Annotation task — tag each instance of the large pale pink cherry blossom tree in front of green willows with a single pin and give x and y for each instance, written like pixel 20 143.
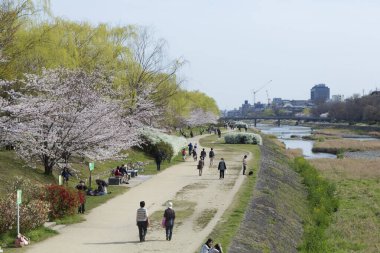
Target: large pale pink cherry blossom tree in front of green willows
pixel 64 113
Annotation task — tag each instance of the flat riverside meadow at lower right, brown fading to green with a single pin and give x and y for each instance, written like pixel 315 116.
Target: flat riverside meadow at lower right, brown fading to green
pixel 355 227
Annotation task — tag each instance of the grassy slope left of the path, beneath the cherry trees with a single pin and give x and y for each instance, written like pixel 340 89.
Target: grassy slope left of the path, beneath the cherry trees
pixel 11 166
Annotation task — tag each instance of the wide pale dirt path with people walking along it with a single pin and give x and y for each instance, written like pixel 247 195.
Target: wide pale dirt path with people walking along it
pixel 112 227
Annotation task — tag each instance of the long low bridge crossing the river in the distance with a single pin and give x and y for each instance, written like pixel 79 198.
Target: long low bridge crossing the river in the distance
pixel 277 118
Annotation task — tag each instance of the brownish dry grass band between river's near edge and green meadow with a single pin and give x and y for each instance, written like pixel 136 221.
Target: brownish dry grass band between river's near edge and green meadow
pixel 348 168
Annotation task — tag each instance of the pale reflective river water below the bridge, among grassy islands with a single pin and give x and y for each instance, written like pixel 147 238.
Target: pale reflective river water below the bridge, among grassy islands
pixel 284 134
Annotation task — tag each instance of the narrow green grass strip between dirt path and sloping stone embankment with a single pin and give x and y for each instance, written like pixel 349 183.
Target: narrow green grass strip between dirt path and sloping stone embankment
pixel 229 224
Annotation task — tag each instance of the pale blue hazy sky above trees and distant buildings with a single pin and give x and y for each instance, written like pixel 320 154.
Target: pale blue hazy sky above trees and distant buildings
pixel 235 47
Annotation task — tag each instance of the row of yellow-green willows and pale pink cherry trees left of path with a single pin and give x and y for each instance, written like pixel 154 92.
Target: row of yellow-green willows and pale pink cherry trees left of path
pixel 88 89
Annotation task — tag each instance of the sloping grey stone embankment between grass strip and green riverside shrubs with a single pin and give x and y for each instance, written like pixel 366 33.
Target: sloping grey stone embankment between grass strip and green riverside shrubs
pixel 273 220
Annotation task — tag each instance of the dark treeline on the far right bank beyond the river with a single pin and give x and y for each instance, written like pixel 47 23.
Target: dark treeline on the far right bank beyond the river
pixel 354 109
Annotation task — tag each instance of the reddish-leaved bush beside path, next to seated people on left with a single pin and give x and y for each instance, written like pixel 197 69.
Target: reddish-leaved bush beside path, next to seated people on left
pixel 63 201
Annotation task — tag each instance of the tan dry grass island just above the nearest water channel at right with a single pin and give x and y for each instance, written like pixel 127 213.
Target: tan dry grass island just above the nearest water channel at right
pixel 333 146
